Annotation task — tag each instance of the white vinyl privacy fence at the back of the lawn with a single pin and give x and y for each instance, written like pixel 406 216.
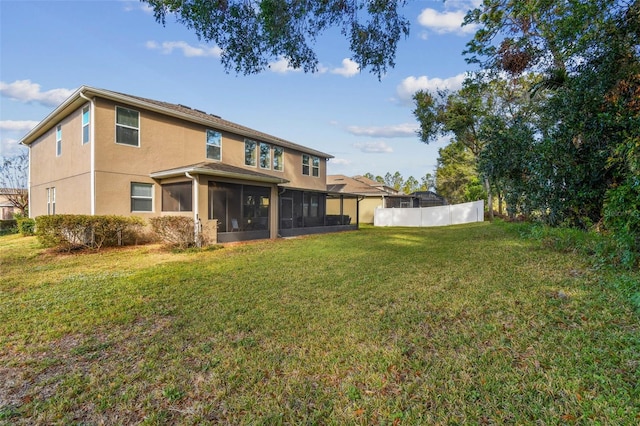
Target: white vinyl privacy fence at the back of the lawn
pixel 430 216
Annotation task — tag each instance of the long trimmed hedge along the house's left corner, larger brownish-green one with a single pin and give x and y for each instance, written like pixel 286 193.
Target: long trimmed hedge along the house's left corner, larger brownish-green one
pixel 68 232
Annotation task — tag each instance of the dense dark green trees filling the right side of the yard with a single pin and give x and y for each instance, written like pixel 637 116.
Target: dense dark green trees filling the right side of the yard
pixel 553 118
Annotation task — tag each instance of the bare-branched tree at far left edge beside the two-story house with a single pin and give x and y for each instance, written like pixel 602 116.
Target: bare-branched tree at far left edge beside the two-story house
pixel 14 175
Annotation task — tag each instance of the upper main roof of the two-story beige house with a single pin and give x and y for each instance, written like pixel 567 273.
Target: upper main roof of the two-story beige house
pixel 80 96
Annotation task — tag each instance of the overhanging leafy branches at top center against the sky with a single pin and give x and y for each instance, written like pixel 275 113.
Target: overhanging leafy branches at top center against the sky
pixel 253 33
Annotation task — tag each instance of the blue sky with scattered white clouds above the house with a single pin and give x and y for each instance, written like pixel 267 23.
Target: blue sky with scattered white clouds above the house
pixel 49 48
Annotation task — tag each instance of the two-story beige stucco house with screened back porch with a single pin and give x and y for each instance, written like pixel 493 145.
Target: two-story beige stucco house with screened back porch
pixel 102 152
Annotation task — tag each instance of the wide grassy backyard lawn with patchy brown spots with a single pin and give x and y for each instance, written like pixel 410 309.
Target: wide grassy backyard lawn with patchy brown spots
pixel 458 325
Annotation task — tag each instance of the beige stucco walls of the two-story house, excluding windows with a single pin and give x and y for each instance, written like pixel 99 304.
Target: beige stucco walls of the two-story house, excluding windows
pixel 165 143
